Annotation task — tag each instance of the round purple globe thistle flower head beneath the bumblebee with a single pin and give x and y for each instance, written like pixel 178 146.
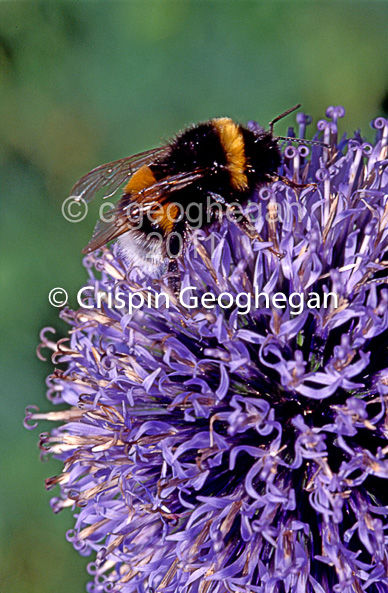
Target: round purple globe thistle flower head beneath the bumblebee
pixel 207 451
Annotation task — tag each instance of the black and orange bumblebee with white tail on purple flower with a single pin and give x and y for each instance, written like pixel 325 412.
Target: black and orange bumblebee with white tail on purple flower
pixel 219 159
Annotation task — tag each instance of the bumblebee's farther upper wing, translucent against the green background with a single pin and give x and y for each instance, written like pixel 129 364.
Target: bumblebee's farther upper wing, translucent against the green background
pixel 112 175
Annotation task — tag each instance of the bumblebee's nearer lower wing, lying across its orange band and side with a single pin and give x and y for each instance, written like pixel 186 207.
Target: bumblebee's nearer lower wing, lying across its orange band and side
pixel 120 221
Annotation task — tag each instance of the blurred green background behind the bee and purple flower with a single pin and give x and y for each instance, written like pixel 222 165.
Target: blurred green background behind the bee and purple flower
pixel 87 82
